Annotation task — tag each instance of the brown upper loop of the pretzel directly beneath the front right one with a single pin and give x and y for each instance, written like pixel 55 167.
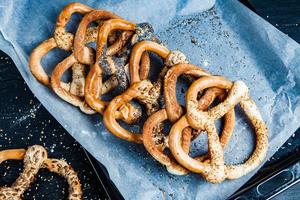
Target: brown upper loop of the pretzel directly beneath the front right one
pixel 174 110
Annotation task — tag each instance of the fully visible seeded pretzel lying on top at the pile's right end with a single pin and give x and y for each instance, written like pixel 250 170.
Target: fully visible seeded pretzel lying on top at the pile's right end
pixel 215 170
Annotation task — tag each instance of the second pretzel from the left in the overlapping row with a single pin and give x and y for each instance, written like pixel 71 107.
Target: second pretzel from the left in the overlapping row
pixel 78 82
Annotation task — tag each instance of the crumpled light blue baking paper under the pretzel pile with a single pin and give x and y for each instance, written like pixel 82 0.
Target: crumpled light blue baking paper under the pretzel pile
pixel 227 40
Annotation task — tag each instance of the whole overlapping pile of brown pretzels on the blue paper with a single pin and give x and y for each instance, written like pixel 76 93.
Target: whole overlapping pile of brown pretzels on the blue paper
pixel 120 65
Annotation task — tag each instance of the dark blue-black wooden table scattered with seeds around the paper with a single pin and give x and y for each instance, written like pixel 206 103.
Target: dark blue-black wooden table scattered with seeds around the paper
pixel 26 119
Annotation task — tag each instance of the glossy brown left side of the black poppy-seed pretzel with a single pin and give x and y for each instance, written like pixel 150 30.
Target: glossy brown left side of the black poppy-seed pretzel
pixel 94 78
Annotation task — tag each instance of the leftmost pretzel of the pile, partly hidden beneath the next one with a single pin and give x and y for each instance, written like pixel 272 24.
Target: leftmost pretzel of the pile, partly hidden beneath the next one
pixel 61 39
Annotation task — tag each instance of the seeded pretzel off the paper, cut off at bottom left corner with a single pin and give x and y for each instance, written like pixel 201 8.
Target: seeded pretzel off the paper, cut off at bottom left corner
pixel 35 158
